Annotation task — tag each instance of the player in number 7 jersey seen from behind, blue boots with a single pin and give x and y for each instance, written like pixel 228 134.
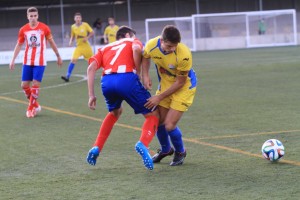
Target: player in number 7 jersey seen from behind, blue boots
pixel 121 62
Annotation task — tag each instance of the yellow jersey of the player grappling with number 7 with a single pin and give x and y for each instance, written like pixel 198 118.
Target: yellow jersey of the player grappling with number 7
pixel 168 65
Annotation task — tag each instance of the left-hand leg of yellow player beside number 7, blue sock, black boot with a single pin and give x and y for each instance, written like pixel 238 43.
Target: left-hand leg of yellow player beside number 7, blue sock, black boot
pixel 163 137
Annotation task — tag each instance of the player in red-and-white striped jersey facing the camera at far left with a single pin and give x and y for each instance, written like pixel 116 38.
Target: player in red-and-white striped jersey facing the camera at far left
pixel 35 34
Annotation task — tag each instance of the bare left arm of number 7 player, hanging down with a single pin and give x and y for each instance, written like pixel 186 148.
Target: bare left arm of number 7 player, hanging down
pixel 91 72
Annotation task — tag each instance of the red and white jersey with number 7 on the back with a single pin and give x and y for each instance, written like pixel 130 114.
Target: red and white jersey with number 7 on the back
pixel 117 57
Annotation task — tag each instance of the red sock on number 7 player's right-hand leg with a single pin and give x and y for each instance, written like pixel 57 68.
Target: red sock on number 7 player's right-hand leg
pixel 149 129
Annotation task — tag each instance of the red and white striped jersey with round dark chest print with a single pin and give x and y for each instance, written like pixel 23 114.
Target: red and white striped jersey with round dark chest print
pixel 35 39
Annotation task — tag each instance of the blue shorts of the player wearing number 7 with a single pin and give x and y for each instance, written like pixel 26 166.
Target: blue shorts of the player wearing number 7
pixel 124 86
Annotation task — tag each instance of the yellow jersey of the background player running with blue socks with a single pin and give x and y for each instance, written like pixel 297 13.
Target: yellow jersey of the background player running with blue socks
pixel 79 32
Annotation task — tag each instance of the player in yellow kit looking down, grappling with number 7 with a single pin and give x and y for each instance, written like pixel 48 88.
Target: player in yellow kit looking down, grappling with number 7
pixel 176 91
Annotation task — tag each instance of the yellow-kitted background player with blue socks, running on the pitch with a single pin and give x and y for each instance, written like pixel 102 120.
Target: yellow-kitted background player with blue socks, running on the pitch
pixel 81 32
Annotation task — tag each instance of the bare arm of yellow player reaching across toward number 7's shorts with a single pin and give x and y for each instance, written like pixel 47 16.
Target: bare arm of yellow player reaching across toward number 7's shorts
pixel 181 77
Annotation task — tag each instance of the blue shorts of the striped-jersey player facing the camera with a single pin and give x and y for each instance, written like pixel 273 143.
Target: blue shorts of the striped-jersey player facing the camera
pixel 30 73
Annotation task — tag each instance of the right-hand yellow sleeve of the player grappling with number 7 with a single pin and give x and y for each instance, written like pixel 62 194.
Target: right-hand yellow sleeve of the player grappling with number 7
pixel 184 58
